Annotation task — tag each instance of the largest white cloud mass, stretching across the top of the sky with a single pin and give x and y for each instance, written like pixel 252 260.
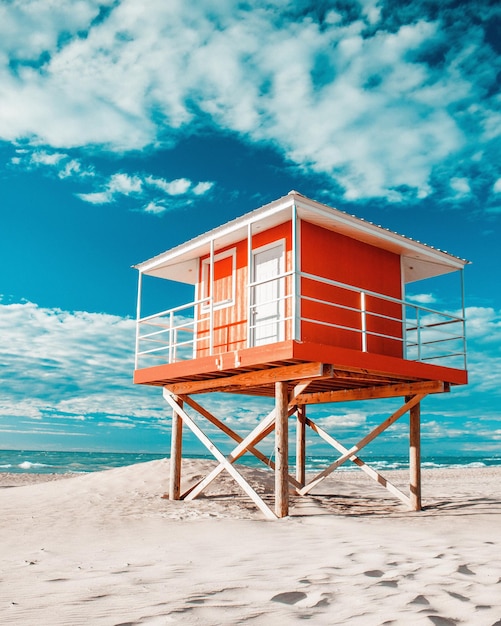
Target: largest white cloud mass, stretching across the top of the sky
pixel 364 106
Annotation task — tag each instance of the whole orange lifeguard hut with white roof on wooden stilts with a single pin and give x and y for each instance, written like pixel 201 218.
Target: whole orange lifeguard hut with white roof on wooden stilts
pixel 307 304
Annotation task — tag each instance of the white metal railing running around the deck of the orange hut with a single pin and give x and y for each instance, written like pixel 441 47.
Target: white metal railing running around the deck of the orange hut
pixel 423 334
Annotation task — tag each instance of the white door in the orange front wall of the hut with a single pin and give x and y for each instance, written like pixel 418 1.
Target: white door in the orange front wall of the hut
pixel 268 295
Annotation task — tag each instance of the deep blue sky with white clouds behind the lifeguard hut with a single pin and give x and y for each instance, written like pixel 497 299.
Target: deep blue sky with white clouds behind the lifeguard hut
pixel 127 128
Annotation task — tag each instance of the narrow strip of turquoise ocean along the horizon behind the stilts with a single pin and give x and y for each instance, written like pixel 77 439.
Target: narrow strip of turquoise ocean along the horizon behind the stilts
pixel 50 462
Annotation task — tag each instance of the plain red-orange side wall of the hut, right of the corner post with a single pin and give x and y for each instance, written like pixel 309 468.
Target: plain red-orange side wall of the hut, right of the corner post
pixel 339 258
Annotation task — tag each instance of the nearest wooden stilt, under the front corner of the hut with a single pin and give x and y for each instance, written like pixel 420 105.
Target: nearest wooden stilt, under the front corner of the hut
pixel 281 450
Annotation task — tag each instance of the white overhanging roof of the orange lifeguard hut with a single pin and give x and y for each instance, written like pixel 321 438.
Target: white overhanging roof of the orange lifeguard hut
pixel 418 260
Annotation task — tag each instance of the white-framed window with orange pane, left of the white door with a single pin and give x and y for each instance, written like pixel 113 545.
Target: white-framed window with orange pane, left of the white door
pixel 224 279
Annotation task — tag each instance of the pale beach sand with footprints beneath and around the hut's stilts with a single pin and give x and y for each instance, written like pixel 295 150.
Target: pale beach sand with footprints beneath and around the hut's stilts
pixel 105 548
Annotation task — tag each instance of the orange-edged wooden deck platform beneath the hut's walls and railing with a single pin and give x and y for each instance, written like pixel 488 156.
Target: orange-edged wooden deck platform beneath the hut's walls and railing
pixel 254 371
